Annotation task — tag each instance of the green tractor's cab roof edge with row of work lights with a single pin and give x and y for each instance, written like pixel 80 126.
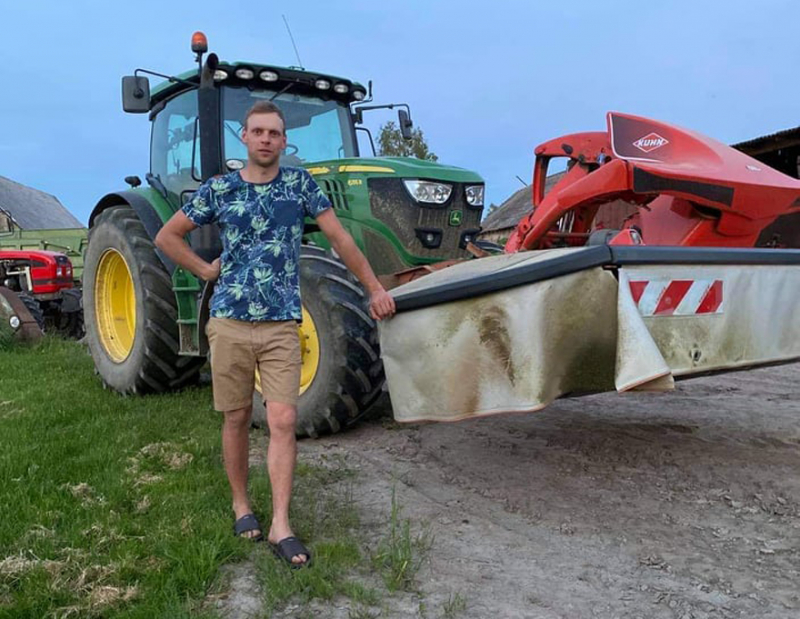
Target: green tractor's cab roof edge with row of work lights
pixel 279 78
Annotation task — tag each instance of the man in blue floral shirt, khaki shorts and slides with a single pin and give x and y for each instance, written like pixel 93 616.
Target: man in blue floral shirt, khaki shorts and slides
pixel 256 306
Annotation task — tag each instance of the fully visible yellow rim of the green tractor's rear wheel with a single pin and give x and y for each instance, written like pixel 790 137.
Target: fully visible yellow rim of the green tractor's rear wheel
pixel 115 305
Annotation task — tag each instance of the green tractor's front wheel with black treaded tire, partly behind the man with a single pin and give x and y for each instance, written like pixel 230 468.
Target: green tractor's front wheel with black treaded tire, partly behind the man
pixel 349 377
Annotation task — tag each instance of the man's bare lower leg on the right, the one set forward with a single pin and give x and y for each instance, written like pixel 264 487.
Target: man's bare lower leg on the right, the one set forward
pixel 281 459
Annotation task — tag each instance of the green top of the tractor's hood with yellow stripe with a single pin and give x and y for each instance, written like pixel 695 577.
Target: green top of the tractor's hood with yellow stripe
pixel 401 167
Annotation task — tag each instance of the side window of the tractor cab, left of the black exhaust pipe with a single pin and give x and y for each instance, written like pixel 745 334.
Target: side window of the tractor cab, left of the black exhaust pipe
pixel 175 147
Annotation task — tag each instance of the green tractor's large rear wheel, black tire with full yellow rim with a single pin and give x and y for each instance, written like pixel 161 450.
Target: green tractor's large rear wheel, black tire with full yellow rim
pixel 147 361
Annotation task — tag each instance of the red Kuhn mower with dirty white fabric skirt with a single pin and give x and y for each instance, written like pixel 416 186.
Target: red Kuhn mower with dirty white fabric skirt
pixel 702 275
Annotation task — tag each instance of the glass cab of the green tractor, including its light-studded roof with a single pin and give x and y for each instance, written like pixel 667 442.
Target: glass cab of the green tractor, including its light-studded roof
pixel 319 124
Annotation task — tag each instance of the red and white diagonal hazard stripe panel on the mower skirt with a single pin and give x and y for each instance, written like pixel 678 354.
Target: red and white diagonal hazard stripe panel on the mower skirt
pixel 678 297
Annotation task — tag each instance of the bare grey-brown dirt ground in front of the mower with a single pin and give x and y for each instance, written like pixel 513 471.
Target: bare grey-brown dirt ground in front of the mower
pixel 680 505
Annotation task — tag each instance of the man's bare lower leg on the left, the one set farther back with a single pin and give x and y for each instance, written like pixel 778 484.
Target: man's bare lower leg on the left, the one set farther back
pixel 235 453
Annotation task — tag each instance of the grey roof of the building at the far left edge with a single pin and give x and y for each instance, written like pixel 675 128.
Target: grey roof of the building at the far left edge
pixel 33 209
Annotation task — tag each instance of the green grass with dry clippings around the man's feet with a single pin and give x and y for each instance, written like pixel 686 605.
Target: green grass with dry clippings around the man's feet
pixel 116 506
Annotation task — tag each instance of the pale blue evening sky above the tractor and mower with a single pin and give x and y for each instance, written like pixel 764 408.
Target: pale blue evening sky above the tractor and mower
pixel 486 81
